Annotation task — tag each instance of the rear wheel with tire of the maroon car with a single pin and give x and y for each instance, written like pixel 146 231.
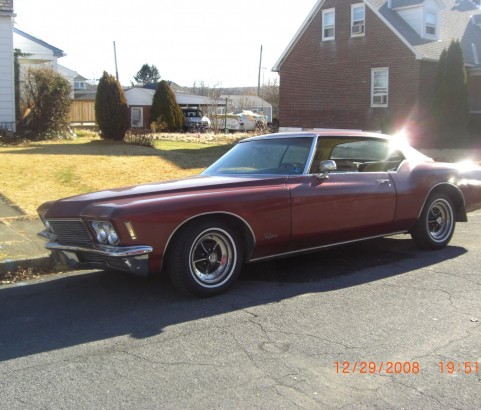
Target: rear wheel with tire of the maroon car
pixel 435 227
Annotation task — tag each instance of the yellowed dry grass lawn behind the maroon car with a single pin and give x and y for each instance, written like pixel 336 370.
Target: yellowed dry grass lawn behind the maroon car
pixel 36 172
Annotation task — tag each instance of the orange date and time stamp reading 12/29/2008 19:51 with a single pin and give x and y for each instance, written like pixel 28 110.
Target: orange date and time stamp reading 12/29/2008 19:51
pixel 399 367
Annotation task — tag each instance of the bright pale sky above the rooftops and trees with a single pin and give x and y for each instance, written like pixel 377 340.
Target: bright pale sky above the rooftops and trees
pixel 212 41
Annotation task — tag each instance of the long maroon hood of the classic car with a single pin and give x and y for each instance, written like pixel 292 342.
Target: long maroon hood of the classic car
pixel 73 207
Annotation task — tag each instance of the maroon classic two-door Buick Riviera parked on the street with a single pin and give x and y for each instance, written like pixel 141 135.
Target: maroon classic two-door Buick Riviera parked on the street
pixel 269 196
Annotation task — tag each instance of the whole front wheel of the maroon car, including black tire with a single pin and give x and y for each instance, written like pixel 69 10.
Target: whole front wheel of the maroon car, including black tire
pixel 205 258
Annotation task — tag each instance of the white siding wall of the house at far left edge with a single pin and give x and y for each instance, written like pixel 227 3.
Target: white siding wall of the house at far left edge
pixel 7 88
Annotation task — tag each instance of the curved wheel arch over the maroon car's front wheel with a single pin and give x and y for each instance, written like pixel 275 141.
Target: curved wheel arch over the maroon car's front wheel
pixel 239 225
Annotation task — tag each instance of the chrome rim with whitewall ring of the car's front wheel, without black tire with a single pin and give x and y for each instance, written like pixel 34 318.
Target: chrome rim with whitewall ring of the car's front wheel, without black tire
pixel 212 257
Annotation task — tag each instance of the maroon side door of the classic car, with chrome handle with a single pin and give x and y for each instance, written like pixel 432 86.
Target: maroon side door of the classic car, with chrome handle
pixel 348 205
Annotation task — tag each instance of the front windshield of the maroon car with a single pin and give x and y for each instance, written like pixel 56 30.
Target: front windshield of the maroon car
pixel 282 156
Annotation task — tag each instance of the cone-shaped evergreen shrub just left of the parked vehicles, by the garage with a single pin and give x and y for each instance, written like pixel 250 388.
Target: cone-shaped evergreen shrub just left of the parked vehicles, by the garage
pixel 165 108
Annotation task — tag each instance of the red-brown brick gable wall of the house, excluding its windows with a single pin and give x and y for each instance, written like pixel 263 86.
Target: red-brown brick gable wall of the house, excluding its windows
pixel 328 84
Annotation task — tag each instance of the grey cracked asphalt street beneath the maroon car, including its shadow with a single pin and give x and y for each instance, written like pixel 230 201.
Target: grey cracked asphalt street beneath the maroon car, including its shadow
pixel 373 324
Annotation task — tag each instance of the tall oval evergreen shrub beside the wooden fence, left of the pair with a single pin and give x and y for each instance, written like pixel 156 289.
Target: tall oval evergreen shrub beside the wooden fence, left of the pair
pixel 111 109
